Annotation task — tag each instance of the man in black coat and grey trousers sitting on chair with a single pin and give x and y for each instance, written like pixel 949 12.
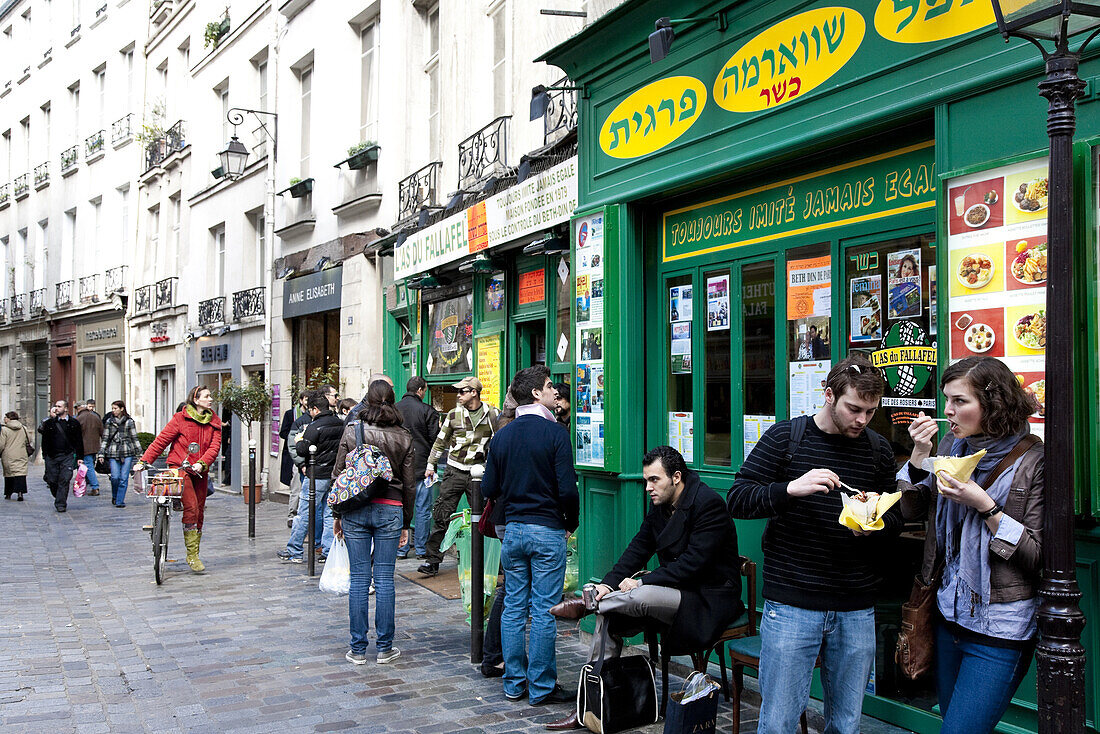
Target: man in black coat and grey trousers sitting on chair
pixel 695 593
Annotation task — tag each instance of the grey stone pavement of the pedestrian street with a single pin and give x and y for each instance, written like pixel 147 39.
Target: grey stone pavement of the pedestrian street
pixel 90 643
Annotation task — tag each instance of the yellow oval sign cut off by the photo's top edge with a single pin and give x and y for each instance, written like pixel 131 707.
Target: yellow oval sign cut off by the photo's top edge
pixel 922 23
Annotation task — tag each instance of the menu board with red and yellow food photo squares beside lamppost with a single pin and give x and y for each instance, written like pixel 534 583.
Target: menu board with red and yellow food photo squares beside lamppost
pixel 998 266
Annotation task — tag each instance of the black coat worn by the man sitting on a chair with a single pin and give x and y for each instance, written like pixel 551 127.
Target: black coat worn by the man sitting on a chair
pixel 697 552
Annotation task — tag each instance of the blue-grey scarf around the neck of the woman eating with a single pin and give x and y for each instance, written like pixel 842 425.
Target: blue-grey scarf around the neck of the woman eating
pixel 962 532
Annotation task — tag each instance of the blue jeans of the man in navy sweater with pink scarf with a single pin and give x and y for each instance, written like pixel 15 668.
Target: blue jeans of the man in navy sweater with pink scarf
pixel 534 560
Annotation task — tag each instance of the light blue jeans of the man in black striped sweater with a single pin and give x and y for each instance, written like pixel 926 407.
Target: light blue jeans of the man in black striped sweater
pixel 791 639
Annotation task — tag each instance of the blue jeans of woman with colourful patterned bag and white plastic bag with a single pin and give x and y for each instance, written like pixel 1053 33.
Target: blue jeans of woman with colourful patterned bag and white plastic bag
pixel 381 525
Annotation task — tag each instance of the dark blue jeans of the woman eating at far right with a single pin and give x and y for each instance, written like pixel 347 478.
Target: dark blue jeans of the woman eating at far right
pixel 976 683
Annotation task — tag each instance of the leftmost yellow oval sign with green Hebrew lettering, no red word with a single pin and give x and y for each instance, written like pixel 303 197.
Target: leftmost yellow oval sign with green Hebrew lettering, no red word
pixel 653 117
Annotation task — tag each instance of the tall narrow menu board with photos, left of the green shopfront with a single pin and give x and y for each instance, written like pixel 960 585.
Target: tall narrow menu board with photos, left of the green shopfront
pixel 589 379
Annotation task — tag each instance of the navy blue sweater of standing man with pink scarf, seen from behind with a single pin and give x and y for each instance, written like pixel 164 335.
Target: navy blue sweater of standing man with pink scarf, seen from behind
pixel 531 468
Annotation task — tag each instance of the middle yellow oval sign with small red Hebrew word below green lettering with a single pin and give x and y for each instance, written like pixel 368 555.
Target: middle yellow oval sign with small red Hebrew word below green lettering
pixel 789 60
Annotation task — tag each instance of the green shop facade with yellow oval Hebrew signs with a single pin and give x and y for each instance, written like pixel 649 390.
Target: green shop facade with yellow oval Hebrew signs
pixel 791 183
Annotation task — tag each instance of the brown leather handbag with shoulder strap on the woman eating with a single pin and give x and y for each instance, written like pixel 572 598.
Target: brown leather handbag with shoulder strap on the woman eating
pixel 916 649
